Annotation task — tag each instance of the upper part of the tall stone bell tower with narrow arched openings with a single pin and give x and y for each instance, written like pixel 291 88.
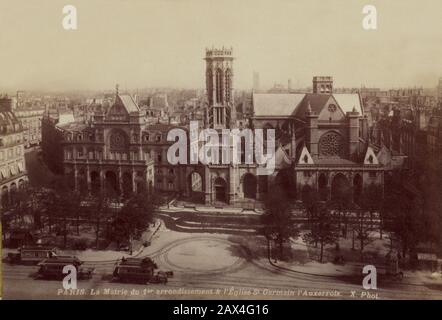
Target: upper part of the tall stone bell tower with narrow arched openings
pixel 219 86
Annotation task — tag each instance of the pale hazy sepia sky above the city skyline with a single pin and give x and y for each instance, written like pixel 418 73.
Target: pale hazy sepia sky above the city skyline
pixel 149 43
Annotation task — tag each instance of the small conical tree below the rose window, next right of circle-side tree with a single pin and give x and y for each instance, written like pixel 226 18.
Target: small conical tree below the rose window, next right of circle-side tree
pixel 322 231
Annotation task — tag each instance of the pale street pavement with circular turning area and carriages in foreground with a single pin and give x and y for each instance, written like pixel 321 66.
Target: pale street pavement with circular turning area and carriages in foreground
pixel 207 266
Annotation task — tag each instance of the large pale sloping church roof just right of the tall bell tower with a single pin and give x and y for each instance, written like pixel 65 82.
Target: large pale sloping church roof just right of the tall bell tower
pixel 275 104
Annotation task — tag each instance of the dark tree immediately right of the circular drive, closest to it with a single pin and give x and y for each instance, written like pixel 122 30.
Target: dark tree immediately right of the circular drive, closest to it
pixel 277 218
